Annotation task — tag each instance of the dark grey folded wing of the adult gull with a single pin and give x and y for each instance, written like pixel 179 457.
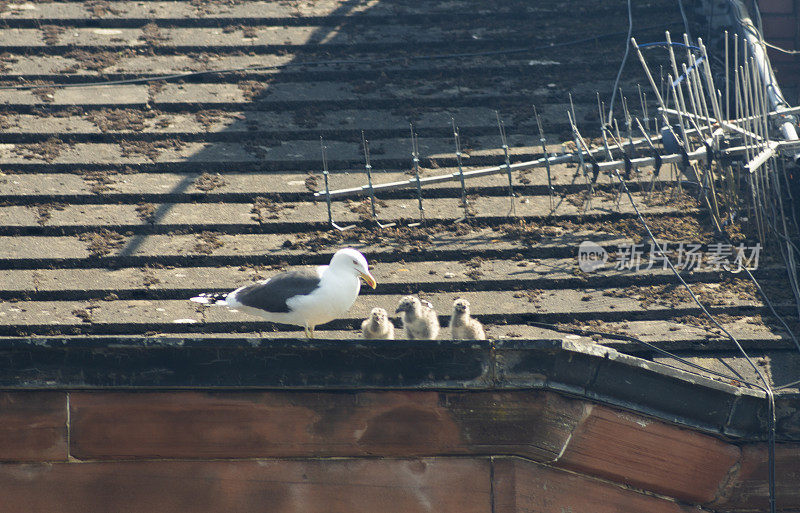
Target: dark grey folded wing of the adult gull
pixel 272 295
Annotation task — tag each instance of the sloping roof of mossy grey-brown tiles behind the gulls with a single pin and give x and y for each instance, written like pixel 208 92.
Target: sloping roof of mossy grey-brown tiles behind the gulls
pixel 120 202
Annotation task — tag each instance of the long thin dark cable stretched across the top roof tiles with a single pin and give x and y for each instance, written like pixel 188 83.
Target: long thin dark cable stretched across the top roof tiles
pixel 177 76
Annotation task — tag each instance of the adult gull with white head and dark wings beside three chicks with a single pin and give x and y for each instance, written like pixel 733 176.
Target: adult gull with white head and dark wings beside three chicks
pixel 302 298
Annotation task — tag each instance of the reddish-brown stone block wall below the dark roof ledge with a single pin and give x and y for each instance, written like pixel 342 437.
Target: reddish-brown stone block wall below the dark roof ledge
pixel 403 451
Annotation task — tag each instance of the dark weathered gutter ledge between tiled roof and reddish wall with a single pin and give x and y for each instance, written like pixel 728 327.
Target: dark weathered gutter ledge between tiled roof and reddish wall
pixel 568 366
